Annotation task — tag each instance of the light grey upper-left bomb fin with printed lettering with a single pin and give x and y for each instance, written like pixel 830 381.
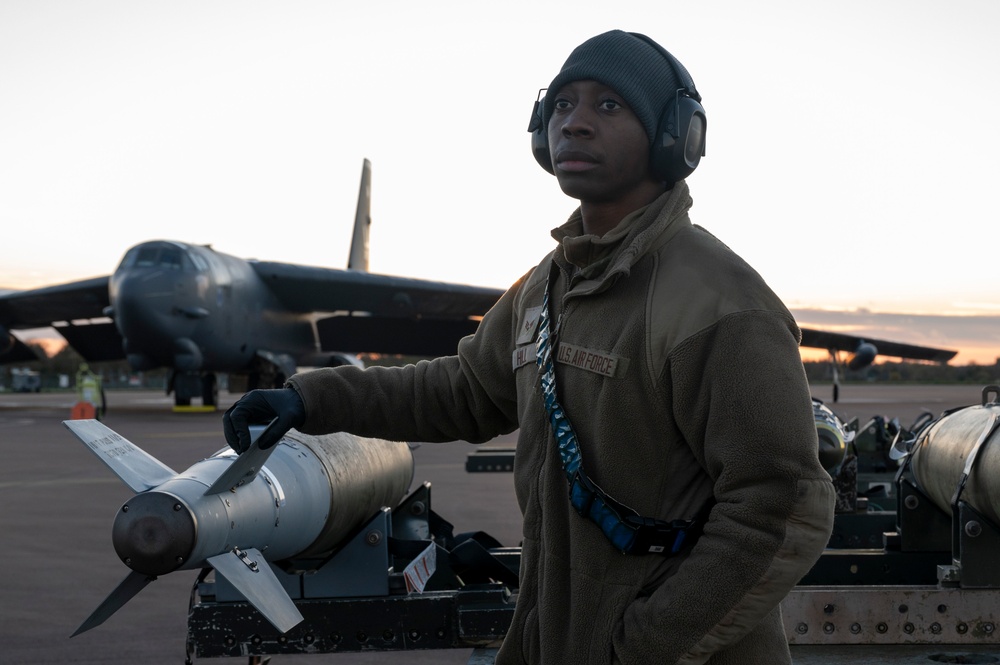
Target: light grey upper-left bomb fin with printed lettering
pixel 137 468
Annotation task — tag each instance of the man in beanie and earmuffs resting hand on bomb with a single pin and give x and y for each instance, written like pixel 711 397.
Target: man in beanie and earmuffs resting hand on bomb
pixel 677 394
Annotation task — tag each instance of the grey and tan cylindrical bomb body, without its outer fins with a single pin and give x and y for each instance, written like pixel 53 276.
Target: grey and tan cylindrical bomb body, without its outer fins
pixel 312 493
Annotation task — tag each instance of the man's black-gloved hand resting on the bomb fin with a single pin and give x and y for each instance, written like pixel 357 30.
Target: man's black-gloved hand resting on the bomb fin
pixel 260 407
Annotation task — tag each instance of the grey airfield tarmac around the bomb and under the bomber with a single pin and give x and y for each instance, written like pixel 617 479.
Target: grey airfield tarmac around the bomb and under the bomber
pixel 59 563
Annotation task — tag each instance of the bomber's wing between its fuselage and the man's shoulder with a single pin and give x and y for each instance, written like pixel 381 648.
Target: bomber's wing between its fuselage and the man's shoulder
pixel 365 312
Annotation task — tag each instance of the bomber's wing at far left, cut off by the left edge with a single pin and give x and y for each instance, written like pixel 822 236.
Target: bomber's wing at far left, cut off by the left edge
pixel 71 309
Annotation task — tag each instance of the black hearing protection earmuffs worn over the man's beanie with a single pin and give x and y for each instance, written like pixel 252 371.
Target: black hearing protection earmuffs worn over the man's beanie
pixel 679 143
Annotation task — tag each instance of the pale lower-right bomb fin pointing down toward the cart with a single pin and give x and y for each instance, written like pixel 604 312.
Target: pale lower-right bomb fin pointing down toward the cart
pixel 252 576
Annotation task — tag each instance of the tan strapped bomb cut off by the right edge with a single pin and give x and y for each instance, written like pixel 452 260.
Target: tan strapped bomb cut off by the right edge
pixel 940 458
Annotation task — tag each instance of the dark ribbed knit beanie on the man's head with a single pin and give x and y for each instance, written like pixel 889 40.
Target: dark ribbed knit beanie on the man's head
pixel 630 65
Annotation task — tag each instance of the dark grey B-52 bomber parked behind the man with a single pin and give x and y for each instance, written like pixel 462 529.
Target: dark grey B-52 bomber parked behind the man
pixel 200 313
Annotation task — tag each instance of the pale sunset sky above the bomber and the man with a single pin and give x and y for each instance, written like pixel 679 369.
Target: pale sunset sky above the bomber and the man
pixel 852 145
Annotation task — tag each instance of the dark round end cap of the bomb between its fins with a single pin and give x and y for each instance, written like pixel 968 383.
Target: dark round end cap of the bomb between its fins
pixel 154 533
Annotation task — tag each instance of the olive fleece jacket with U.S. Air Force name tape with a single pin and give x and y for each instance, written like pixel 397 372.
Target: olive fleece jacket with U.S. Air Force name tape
pixel 679 370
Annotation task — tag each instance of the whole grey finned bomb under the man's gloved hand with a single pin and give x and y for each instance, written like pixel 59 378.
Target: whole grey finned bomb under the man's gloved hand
pixel 299 498
